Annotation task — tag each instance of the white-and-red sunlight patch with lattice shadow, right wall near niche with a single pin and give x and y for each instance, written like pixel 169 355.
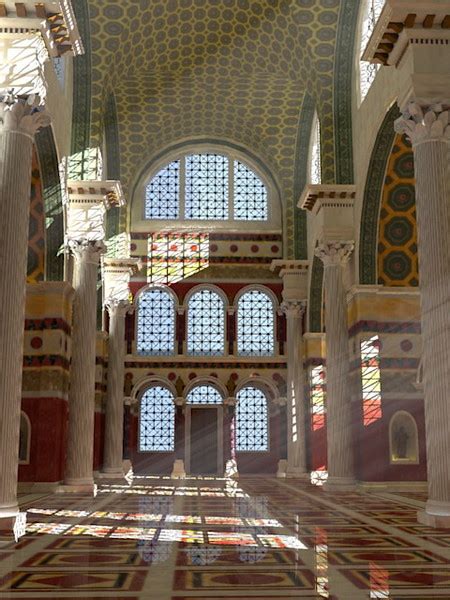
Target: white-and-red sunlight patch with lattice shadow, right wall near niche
pixel 371 380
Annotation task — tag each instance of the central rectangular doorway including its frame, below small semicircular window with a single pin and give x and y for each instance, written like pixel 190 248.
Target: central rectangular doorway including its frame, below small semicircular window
pixel 204 440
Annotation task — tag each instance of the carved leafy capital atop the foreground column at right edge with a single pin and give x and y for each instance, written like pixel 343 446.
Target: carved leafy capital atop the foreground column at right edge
pixel 424 123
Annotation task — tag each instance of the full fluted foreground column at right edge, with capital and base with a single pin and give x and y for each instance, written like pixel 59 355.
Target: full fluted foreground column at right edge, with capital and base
pixel 429 131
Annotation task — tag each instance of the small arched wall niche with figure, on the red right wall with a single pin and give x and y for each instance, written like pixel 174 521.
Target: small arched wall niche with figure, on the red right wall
pixel 403 439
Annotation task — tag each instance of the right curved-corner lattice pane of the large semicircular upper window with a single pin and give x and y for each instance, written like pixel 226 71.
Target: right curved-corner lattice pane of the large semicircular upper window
pixel 250 195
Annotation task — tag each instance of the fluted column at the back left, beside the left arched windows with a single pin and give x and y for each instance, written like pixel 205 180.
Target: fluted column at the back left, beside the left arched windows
pixel 113 449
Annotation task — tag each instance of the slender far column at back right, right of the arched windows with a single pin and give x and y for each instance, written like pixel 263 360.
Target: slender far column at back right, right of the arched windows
pixel 296 447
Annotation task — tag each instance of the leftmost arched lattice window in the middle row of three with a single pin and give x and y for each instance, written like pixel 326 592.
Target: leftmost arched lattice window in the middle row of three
pixel 156 323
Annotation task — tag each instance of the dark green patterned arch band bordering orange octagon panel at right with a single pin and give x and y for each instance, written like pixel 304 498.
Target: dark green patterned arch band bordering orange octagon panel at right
pixel 372 197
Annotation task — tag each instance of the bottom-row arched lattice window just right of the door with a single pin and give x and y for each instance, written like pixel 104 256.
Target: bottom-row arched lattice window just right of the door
pixel 252 424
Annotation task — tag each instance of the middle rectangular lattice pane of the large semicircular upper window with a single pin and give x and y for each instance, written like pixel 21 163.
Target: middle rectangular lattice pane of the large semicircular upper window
pixel 206 187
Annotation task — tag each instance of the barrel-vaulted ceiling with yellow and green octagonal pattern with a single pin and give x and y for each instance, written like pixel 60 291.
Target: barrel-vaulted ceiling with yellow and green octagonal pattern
pixel 237 70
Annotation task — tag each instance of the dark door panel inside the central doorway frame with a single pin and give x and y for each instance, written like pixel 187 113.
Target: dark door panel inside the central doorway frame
pixel 204 441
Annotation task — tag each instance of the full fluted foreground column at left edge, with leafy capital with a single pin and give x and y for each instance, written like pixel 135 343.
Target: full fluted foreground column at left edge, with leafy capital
pixel 19 121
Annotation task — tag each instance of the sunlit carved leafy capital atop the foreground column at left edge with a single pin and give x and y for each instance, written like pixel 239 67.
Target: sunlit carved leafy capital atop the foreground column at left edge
pixel 20 116
